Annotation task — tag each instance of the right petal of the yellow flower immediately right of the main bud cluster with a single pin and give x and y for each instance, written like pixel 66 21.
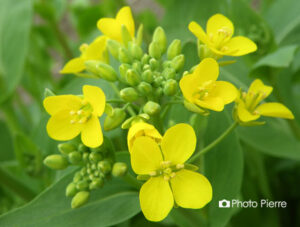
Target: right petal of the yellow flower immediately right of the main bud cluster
pixel 225 90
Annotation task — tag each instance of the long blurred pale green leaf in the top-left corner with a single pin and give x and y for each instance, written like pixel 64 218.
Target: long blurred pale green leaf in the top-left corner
pixel 15 22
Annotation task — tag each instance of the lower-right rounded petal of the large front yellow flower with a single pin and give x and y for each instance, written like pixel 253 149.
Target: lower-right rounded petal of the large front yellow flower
pixel 191 189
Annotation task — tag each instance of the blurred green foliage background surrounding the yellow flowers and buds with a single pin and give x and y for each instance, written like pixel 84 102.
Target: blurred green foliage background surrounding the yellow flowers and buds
pixel 38 36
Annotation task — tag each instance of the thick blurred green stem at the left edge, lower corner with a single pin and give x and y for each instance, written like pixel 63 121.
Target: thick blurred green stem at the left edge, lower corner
pixel 18 187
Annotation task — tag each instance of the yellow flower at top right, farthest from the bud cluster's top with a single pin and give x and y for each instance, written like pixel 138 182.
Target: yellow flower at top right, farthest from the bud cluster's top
pixel 218 37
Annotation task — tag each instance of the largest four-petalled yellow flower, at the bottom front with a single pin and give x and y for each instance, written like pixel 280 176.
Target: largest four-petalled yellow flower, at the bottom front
pixel 169 180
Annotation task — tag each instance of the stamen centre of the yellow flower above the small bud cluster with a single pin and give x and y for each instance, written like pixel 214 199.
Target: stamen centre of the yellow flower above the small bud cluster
pixel 83 114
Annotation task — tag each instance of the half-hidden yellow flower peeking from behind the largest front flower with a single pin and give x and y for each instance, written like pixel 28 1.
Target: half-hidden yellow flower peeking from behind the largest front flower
pixel 142 129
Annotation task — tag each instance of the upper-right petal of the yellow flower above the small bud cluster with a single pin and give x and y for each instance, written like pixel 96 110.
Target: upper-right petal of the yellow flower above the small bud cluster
pixel 95 96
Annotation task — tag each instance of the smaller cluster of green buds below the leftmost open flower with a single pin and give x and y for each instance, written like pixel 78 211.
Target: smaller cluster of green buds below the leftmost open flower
pixel 97 166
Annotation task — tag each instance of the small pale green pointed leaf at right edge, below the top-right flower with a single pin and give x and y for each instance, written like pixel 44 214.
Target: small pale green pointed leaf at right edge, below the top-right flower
pixel 282 57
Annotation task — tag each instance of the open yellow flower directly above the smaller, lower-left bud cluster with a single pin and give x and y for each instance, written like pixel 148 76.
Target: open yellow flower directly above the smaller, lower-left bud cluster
pixel 72 115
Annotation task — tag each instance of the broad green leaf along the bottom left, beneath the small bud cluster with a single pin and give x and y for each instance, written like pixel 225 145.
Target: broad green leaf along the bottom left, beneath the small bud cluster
pixel 108 206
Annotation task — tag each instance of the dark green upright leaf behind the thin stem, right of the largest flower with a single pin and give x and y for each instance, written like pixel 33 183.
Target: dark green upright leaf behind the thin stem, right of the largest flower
pixel 223 168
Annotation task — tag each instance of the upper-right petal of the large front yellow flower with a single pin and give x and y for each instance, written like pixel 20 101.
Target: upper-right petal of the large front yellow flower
pixel 179 143
